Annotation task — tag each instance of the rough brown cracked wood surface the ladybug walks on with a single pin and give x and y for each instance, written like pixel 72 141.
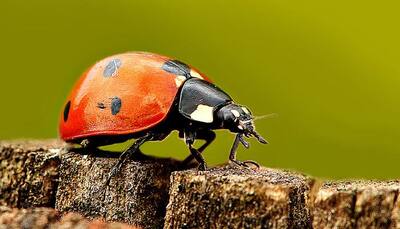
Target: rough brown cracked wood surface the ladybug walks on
pixel 36 174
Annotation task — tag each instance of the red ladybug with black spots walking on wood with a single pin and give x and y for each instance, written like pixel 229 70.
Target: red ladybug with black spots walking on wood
pixel 145 96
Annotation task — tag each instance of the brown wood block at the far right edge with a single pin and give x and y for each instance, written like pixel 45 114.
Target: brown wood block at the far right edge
pixel 357 204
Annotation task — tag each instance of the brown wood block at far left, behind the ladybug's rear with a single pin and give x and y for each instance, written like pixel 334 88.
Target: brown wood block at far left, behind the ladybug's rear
pixel 29 173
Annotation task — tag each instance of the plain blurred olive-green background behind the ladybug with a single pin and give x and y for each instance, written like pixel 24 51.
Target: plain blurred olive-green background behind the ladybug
pixel 330 70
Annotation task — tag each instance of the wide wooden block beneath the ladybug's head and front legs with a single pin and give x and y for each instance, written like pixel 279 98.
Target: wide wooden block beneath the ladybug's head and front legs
pixel 234 197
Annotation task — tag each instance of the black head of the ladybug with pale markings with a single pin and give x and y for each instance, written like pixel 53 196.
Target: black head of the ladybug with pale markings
pixel 238 119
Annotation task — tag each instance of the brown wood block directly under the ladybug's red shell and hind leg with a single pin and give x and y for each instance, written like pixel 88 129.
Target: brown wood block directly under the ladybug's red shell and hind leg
pixel 137 195
